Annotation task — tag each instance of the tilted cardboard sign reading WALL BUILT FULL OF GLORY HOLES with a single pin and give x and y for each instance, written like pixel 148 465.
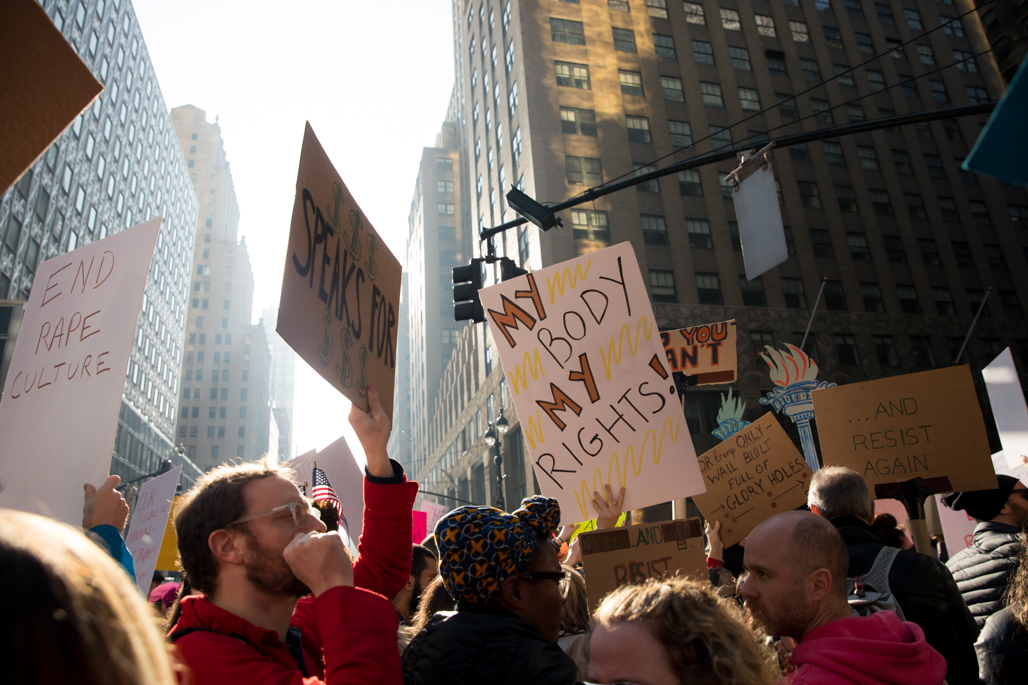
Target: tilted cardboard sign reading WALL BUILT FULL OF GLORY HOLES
pixel 751 477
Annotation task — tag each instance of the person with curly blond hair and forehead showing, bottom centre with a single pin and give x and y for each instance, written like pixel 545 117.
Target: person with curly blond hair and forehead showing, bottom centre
pixel 676 631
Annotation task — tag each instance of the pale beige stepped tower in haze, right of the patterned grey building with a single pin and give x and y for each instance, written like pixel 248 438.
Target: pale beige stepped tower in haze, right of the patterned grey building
pixel 226 406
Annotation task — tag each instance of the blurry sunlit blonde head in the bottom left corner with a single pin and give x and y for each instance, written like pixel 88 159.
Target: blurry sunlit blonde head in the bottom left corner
pixel 70 614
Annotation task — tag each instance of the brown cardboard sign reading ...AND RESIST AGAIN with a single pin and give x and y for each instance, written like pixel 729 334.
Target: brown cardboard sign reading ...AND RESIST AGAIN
pixel 925 425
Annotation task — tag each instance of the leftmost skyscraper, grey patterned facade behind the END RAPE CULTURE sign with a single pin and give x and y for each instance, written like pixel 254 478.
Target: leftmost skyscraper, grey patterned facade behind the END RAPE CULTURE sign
pixel 116 167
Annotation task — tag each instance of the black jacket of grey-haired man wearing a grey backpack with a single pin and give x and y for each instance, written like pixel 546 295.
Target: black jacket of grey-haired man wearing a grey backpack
pixel 928 595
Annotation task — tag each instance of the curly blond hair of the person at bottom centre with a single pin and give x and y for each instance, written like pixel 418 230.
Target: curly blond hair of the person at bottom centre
pixel 707 638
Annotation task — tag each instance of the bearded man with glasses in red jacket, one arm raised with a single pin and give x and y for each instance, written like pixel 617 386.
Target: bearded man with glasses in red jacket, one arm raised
pixel 250 545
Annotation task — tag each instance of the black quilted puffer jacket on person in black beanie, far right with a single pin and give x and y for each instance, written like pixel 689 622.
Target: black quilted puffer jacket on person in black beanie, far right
pixel 983 570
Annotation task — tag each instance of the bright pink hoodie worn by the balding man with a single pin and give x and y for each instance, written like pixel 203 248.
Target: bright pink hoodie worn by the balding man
pixel 874 651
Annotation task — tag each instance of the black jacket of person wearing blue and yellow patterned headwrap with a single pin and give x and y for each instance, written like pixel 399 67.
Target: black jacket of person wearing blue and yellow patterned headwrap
pixel 485 646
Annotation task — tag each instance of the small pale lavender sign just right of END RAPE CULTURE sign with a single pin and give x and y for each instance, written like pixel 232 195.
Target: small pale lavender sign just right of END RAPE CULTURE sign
pixel 146 532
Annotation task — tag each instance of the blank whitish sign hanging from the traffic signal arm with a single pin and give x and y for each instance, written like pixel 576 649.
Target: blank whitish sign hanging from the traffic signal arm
pixel 761 231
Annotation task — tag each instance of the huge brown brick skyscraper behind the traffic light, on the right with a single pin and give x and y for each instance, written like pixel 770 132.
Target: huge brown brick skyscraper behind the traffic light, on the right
pixel 559 97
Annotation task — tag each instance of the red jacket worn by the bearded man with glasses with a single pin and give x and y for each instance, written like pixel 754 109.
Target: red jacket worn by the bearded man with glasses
pixel 348 635
